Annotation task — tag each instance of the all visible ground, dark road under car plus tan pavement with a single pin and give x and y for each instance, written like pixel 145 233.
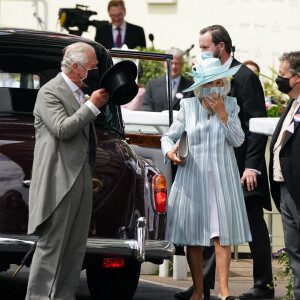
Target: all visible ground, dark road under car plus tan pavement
pixel 240 281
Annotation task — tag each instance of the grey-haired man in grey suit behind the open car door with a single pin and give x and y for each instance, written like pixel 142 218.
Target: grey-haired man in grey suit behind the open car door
pixel 155 97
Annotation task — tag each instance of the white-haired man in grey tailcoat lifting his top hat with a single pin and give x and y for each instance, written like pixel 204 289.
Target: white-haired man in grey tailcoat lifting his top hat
pixel 60 197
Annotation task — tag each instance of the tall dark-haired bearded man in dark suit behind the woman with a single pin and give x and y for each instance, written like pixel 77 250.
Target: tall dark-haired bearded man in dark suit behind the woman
pixel 215 41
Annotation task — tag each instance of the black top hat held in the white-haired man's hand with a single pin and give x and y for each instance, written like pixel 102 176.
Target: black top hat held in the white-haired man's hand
pixel 119 82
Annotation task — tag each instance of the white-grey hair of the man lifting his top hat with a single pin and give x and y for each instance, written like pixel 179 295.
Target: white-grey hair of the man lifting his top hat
pixel 76 52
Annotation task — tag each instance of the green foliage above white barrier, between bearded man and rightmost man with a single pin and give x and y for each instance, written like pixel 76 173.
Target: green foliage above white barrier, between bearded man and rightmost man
pixel 271 91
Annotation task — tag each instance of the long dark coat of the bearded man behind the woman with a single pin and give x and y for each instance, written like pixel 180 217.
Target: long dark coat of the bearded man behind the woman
pixel 246 87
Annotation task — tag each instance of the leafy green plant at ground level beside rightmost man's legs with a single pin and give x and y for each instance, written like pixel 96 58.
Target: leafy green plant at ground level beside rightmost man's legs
pixel 285 273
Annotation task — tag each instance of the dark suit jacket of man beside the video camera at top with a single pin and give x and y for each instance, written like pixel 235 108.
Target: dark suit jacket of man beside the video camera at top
pixel 134 36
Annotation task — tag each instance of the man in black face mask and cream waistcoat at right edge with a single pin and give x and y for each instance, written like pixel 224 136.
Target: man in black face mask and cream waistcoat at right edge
pixel 284 172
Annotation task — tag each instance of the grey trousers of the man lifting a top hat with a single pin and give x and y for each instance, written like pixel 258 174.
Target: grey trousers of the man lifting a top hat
pixel 57 261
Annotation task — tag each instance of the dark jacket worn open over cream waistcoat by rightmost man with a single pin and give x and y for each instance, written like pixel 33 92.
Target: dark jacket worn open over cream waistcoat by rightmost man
pixel 289 160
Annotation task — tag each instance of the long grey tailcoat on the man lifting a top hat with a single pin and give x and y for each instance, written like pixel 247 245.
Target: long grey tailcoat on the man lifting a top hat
pixel 61 146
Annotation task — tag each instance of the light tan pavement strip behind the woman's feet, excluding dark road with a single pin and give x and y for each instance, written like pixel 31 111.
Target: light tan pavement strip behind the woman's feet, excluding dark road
pixel 240 280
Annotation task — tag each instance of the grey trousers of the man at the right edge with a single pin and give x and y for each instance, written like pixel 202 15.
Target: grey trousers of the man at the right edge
pixel 291 225
